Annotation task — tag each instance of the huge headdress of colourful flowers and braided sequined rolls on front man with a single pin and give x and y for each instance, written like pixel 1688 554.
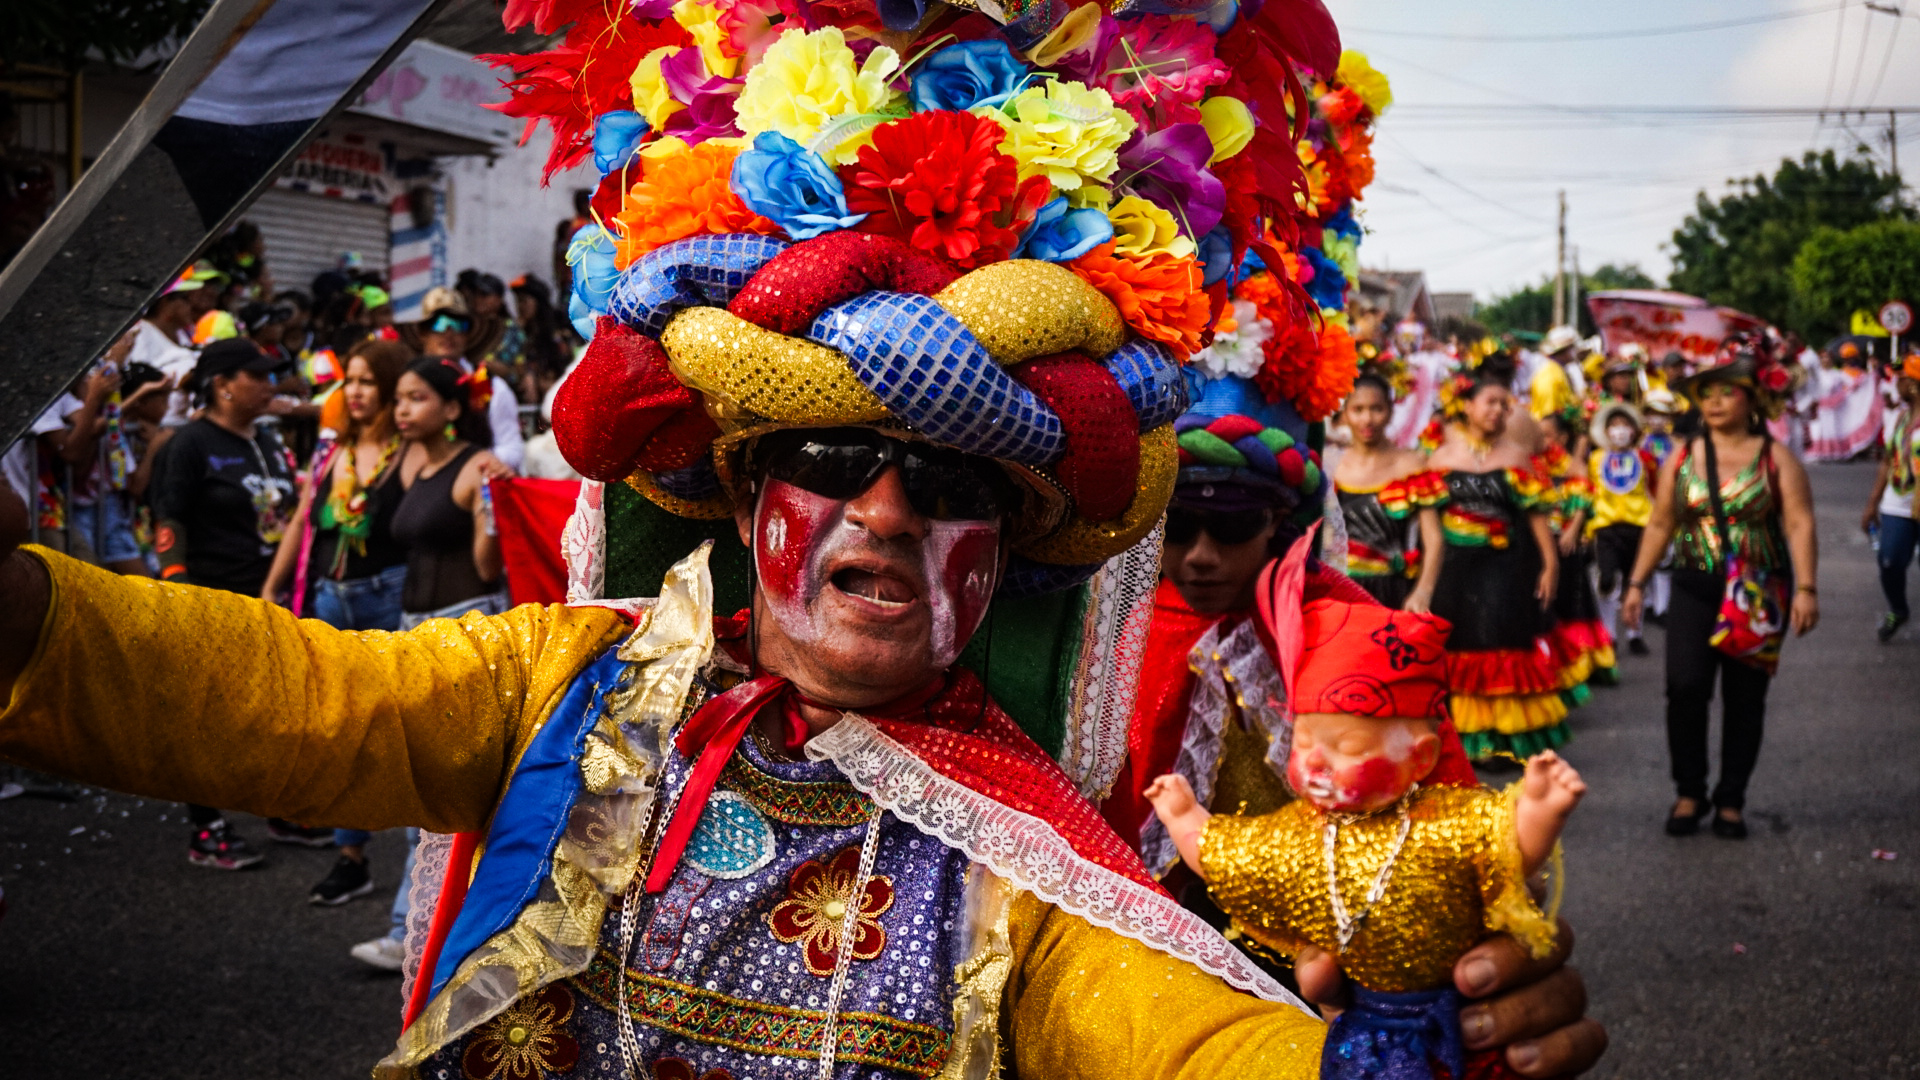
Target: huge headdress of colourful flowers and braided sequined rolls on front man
pixel 1001 228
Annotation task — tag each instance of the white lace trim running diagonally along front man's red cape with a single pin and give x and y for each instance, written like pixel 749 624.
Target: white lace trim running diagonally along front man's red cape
pixel 1030 854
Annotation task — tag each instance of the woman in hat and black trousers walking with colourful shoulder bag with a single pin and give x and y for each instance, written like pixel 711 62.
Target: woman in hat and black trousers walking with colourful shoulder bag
pixel 1769 524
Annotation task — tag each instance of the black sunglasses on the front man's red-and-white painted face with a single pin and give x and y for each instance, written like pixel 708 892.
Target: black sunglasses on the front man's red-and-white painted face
pixel 840 464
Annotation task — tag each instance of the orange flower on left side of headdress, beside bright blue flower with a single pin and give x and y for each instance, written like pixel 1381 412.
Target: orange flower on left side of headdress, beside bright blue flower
pixel 683 195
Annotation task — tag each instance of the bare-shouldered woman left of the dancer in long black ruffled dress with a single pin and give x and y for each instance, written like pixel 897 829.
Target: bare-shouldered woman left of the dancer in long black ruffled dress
pixel 1391 504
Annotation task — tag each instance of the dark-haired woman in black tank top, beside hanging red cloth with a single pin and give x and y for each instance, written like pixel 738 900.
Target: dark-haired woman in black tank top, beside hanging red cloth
pixel 446 524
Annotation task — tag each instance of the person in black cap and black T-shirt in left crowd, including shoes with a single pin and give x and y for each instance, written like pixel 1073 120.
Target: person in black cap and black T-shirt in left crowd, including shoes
pixel 222 497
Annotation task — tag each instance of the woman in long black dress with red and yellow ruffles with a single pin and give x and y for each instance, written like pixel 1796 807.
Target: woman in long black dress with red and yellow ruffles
pixel 1500 574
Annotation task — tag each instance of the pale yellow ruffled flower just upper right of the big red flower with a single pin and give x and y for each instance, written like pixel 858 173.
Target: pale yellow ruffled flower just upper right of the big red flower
pixel 1065 132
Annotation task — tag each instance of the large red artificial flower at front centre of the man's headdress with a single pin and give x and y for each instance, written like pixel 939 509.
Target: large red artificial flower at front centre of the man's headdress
pixel 938 180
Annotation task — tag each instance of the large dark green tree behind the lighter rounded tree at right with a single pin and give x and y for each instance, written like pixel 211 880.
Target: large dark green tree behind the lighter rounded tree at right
pixel 1739 251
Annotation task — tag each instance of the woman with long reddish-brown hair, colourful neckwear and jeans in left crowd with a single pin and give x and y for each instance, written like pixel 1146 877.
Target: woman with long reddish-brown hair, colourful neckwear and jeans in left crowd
pixel 341 556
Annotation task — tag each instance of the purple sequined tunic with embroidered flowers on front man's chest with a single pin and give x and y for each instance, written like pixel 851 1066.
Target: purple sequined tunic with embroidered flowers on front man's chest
pixel 732 964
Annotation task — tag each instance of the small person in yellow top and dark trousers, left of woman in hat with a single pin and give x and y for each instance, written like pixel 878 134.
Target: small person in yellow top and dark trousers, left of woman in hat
pixel 1623 476
